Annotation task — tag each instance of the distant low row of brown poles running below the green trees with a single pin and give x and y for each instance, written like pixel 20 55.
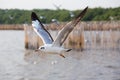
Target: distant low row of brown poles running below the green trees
pixel 94 25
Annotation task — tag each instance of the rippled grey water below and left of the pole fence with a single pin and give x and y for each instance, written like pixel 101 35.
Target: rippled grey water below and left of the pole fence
pixel 18 64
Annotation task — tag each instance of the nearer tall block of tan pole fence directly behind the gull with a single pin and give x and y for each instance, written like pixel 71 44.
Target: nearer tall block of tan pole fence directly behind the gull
pixel 32 41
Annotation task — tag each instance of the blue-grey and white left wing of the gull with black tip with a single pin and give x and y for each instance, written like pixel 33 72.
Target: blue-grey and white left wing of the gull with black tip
pixel 40 30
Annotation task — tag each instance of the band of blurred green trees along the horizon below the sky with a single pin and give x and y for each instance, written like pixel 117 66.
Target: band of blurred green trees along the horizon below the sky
pixel 16 16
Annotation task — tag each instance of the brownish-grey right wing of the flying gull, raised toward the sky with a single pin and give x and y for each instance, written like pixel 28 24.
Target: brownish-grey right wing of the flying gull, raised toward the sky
pixel 67 29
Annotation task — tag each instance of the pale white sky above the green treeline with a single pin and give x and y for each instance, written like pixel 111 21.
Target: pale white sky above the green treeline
pixel 64 4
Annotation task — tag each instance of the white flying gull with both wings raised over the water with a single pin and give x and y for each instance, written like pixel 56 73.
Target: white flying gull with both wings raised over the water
pixel 50 45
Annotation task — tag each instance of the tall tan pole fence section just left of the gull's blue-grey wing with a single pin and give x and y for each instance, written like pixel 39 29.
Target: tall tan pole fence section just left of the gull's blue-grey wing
pixel 32 41
